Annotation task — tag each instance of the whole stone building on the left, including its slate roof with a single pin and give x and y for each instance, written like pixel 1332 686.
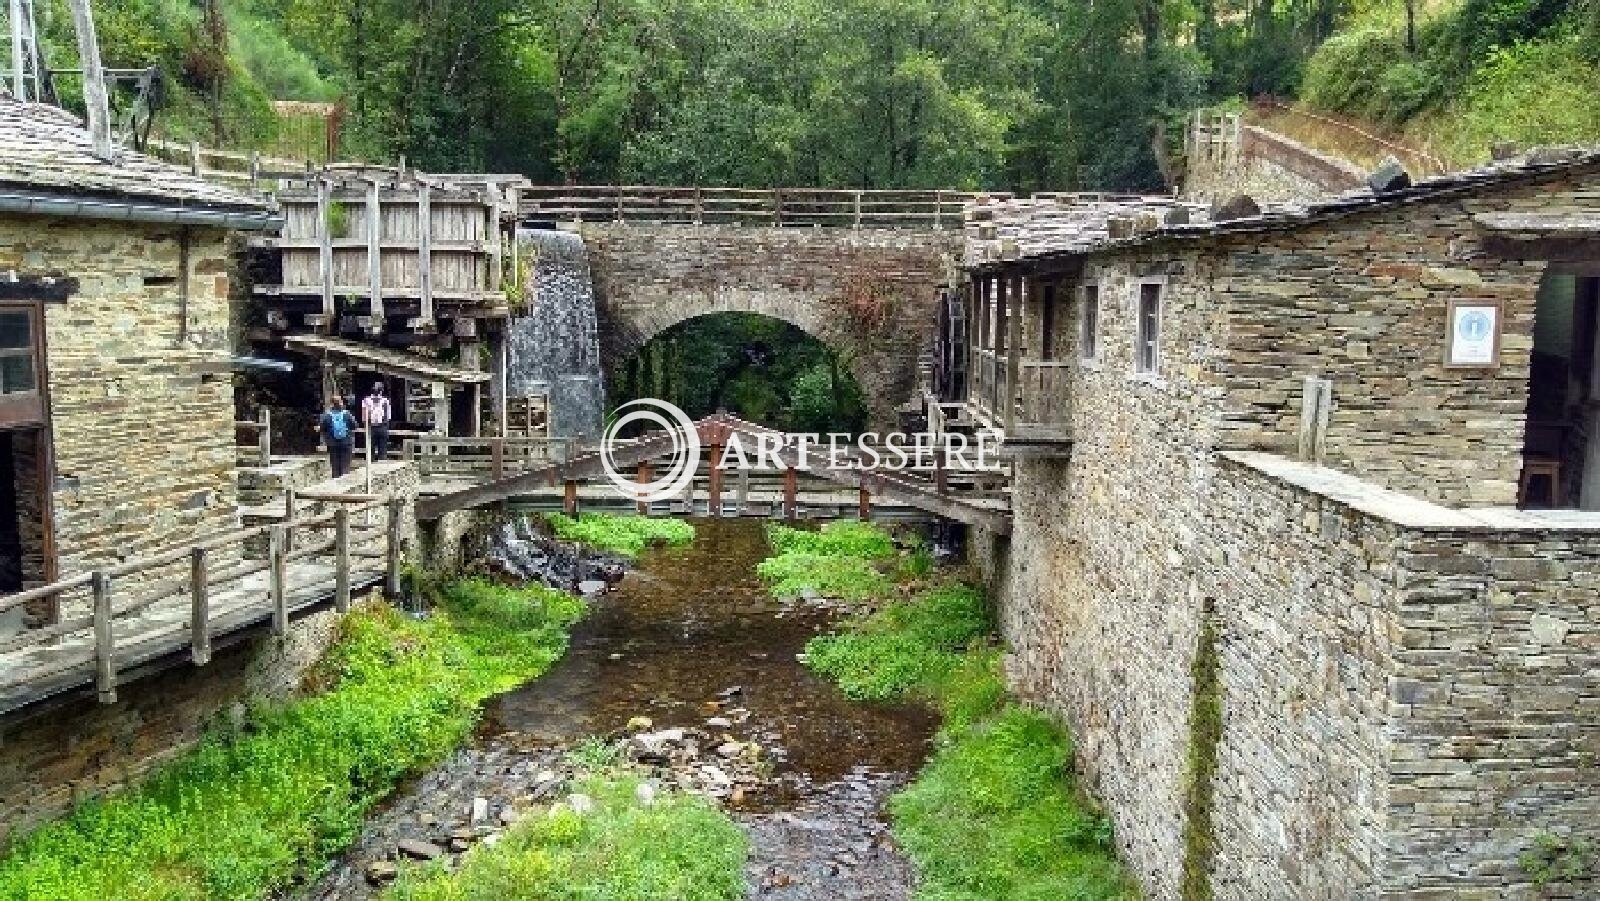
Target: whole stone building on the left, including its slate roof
pixel 116 390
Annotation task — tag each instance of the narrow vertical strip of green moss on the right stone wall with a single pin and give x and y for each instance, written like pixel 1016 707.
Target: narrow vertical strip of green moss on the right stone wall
pixel 1206 734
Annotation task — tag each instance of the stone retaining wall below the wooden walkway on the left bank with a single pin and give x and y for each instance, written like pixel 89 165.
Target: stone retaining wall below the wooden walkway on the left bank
pixel 76 750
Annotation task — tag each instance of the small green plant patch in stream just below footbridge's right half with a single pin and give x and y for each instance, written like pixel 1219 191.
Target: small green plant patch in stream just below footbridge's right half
pixel 841 561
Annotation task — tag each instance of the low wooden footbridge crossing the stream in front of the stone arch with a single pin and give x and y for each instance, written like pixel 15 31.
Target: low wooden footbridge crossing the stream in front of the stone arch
pixel 513 470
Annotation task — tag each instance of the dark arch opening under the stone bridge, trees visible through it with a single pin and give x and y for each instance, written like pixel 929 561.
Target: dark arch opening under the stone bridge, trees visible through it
pixel 754 366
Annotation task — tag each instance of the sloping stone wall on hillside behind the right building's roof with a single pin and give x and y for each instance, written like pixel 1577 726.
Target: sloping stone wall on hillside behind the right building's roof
pixel 1270 167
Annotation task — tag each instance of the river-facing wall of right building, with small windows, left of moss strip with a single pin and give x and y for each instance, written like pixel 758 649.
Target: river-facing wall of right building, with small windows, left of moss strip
pixel 1102 612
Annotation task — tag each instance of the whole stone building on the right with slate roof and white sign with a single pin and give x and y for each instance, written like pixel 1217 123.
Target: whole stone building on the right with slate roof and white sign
pixel 1302 545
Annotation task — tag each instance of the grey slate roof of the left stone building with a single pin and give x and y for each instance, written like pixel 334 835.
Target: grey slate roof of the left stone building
pixel 46 150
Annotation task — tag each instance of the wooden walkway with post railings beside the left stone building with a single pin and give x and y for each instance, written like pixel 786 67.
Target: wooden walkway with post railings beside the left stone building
pixel 220 580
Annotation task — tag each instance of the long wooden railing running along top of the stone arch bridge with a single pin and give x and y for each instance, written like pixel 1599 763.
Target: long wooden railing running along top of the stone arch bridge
pixel 750 207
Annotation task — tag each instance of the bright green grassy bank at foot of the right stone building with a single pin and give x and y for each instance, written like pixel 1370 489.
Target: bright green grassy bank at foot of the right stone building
pixel 996 812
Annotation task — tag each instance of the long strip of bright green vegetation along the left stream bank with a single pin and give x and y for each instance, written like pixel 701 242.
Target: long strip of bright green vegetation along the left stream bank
pixel 255 807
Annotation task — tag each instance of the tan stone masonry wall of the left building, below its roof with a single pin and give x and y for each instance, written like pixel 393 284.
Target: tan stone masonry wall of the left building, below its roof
pixel 142 418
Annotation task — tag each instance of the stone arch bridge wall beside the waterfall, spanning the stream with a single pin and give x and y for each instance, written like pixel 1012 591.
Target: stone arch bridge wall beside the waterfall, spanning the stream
pixel 870 294
